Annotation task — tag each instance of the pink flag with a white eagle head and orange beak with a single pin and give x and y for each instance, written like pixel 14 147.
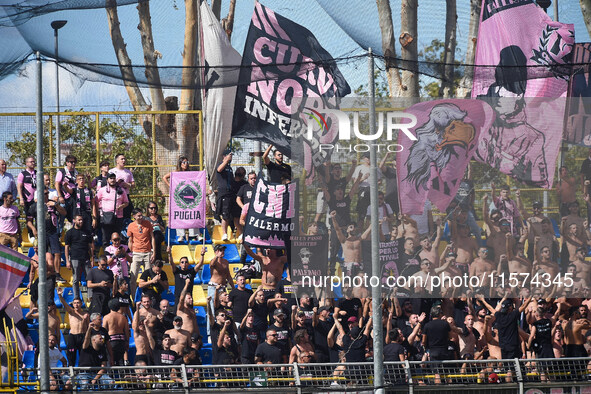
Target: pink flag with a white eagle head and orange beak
pixel 432 167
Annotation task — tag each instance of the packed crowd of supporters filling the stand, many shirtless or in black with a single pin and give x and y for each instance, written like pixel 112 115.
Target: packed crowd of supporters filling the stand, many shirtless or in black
pixel 274 322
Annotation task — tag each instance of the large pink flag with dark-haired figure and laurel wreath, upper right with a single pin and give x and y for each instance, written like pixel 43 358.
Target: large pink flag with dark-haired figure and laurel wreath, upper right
pixel 521 53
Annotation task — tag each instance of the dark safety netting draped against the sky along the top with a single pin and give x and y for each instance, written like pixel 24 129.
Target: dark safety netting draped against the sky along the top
pixel 345 28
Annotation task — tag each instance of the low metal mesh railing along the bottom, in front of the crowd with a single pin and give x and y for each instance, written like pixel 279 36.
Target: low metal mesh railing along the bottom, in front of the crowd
pixel 415 376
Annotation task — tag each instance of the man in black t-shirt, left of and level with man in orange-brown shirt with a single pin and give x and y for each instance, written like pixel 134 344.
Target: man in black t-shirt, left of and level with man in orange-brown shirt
pixel 79 252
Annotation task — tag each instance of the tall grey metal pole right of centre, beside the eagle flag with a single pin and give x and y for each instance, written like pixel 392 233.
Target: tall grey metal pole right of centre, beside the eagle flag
pixel 376 291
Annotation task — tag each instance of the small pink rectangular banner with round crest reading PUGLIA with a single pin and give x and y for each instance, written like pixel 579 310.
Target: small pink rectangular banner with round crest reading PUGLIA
pixel 187 199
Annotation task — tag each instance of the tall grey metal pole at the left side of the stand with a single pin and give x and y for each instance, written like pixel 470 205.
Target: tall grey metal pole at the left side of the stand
pixel 43 326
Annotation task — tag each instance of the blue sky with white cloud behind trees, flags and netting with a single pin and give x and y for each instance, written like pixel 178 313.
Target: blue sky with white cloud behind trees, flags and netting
pixel 86 38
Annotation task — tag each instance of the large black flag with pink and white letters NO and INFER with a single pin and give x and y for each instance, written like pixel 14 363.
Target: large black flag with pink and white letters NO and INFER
pixel 283 62
